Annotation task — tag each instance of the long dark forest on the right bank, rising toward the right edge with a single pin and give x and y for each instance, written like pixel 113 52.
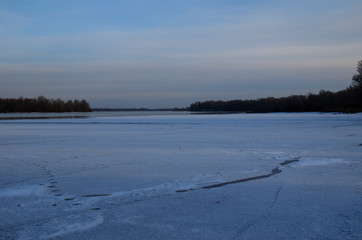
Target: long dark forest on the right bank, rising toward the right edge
pixel 348 100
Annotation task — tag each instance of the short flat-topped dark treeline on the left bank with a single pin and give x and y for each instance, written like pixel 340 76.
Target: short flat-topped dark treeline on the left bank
pixel 42 104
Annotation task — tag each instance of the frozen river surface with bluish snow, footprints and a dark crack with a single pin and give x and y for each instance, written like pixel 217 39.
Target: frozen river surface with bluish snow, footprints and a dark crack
pixel 237 176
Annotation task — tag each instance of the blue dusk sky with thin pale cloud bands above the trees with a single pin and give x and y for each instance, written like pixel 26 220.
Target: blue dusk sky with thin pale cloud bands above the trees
pixel 171 53
